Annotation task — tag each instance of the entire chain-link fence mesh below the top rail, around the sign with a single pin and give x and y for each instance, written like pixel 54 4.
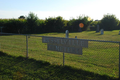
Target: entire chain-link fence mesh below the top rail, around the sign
pixel 100 57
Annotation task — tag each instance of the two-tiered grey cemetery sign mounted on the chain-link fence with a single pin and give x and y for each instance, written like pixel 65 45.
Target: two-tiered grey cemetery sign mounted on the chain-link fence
pixel 67 45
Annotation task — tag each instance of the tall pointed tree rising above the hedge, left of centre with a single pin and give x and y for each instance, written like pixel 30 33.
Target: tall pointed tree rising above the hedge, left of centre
pixel 32 20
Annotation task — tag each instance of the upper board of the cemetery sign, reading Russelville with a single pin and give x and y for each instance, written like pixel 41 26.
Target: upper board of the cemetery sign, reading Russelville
pixel 65 41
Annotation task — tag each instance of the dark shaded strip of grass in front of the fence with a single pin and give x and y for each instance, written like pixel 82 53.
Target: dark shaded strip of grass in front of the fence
pixel 21 68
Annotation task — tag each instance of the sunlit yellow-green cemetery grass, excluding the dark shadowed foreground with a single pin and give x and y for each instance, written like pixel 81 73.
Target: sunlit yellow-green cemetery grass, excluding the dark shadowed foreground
pixel 99 58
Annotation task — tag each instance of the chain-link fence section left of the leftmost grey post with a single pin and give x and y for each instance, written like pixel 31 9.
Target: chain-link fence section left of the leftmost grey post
pixel 13 44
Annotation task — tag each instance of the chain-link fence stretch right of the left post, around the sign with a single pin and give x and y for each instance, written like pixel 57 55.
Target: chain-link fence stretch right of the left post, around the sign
pixel 101 57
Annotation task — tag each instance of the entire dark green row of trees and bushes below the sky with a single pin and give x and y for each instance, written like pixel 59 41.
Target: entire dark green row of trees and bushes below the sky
pixel 32 24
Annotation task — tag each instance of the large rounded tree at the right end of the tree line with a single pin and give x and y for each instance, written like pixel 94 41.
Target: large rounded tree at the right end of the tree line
pixel 109 22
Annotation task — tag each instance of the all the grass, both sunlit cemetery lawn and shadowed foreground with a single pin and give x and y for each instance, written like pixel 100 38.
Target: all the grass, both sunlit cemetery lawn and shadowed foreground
pixel 99 61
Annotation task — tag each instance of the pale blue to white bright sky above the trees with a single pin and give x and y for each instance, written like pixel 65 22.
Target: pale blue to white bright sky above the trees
pixel 68 9
